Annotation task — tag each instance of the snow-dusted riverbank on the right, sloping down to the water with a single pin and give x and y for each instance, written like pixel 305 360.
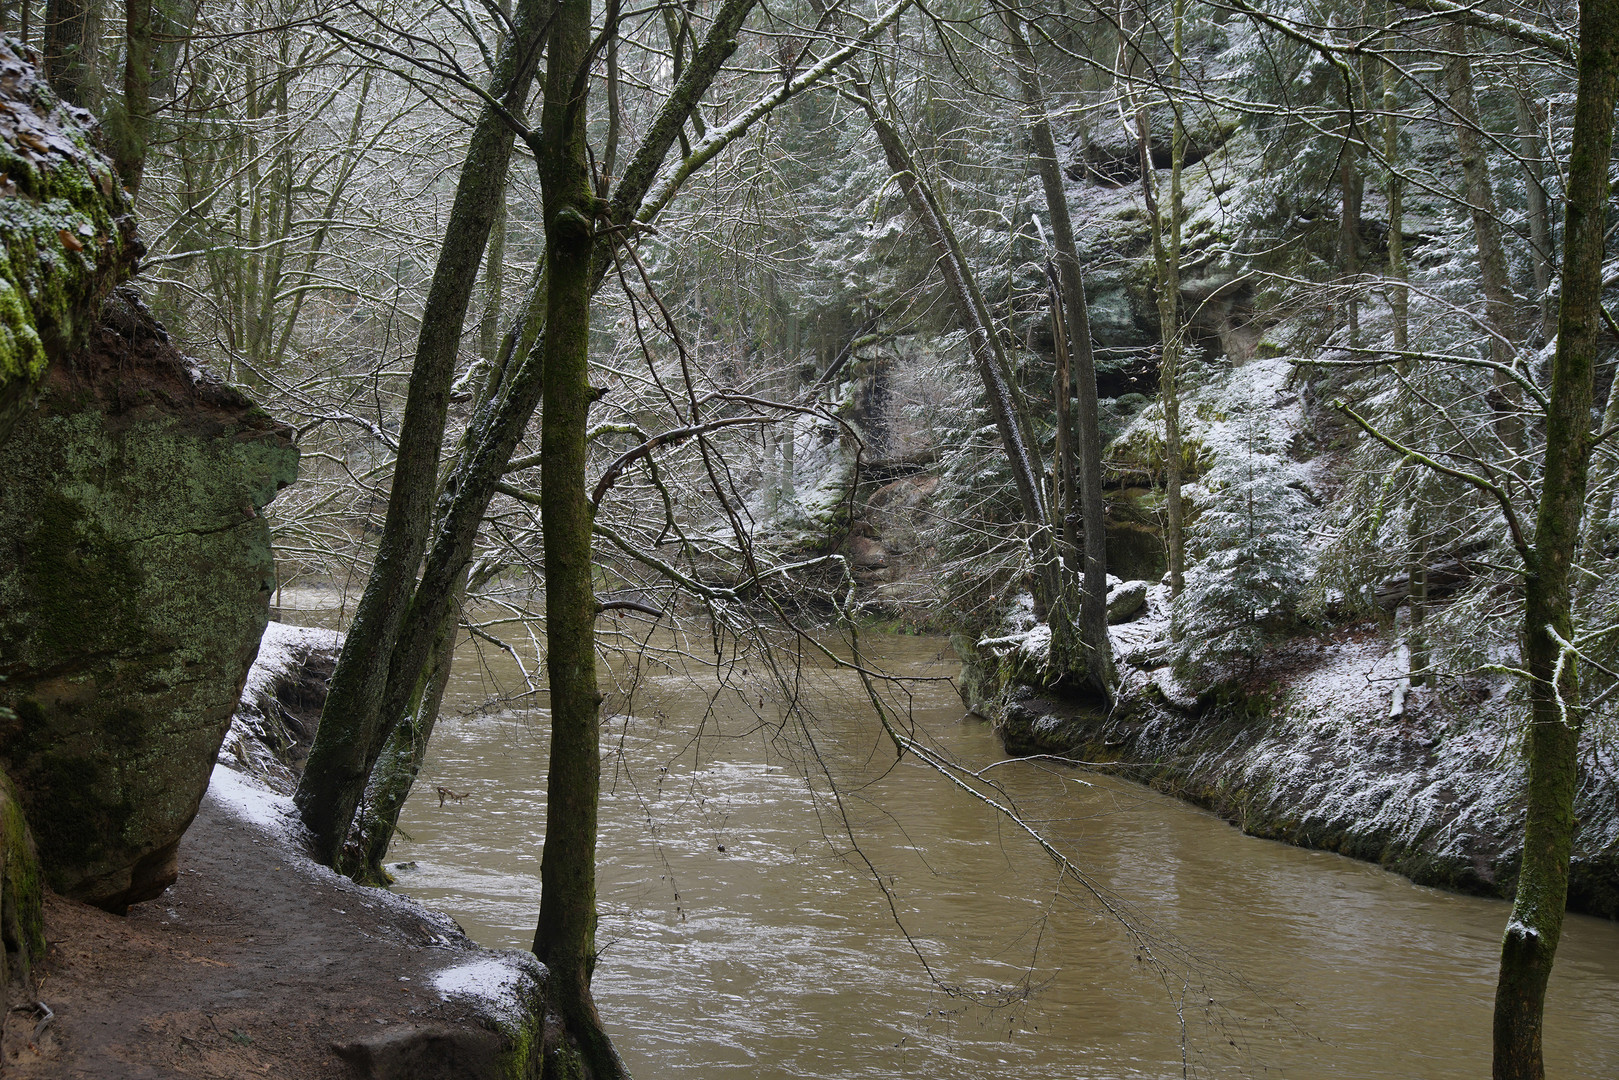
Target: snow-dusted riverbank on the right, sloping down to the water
pixel 1322 747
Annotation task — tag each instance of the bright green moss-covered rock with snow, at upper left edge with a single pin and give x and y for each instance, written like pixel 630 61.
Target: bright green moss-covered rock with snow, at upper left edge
pixel 67 229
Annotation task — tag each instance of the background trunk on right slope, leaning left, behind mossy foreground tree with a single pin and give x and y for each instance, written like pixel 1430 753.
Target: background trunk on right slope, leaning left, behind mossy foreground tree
pixel 1487 231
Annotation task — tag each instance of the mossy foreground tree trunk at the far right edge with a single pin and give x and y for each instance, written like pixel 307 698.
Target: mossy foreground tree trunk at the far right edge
pixel 1552 742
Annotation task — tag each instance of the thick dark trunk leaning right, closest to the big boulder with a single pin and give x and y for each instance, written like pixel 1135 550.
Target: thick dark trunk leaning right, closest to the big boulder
pixel 354 728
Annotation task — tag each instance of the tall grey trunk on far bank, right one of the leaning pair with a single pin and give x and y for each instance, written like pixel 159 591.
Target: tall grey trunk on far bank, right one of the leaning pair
pixel 1077 323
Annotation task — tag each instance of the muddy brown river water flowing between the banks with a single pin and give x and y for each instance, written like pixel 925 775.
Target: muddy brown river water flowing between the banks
pixel 744 929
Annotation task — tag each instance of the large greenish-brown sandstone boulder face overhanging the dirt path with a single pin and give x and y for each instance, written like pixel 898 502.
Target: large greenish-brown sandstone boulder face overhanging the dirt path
pixel 135 582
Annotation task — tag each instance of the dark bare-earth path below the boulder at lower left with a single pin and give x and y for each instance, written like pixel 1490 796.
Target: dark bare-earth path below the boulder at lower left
pixel 253 964
